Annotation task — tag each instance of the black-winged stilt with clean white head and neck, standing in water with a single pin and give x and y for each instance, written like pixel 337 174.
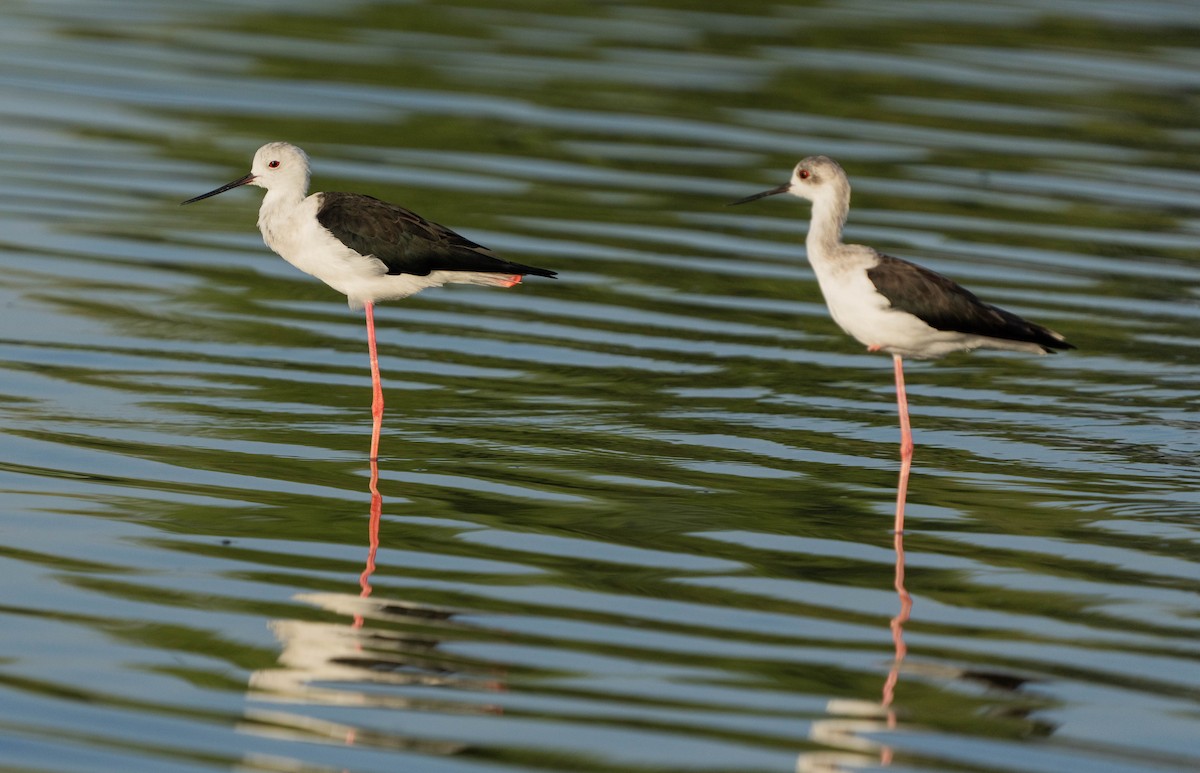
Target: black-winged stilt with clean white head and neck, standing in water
pixel 367 249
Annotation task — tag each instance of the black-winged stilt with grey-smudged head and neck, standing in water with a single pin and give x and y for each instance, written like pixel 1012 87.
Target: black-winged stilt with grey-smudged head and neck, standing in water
pixel 892 305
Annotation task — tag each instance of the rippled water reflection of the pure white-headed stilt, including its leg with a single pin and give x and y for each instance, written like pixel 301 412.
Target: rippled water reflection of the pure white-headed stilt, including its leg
pixel 385 656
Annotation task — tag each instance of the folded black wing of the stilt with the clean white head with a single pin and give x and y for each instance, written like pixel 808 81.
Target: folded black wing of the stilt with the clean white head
pixel 405 242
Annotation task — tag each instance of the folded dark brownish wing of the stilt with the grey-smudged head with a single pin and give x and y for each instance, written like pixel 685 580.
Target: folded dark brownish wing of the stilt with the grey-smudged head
pixel 945 305
